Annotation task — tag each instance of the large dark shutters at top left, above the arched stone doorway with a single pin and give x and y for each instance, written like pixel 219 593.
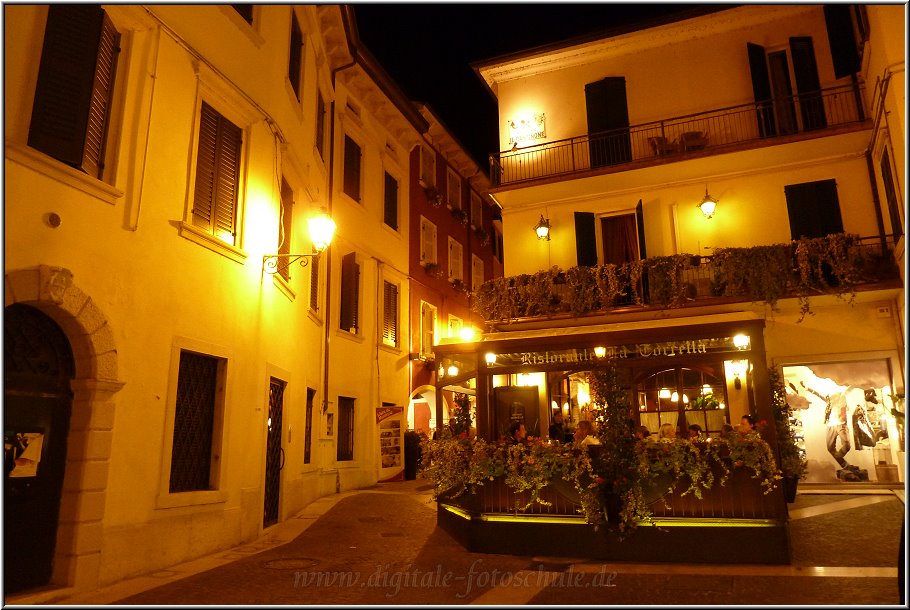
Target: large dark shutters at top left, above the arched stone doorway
pixel 73 93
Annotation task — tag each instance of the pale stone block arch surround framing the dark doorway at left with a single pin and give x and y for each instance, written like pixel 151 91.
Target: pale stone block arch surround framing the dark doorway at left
pixel 77 559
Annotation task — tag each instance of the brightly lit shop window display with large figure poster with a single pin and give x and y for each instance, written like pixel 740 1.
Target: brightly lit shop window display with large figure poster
pixel 846 417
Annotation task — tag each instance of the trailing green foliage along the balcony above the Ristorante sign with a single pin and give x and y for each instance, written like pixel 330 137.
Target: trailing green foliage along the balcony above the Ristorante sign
pixel 834 265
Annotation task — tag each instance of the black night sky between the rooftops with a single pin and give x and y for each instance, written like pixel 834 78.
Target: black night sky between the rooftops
pixel 428 49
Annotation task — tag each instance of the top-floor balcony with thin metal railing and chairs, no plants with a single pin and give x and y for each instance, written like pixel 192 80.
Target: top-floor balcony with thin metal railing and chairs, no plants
pixel 675 139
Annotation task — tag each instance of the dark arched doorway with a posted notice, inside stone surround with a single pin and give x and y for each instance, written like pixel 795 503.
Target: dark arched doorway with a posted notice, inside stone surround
pixel 37 369
